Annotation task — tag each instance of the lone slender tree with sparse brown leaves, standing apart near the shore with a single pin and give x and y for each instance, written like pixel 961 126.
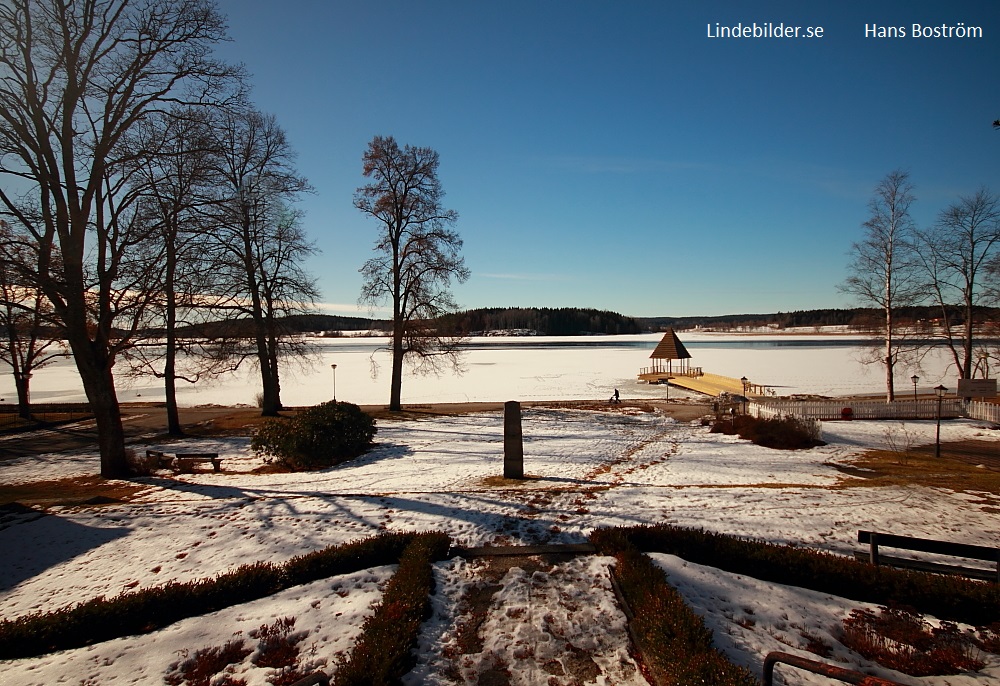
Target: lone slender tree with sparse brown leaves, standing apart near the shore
pixel 417 254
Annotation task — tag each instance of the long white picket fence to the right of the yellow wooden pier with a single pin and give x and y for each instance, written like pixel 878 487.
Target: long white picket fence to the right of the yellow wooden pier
pixel 871 409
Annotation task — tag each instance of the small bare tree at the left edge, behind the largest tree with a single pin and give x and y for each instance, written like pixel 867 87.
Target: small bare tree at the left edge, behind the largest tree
pixel 31 339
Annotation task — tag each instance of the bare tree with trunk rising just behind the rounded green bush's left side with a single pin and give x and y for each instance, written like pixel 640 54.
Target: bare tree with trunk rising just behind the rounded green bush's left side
pixel 261 246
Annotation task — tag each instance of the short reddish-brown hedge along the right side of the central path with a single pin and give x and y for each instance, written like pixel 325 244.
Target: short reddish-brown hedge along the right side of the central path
pixel 676 644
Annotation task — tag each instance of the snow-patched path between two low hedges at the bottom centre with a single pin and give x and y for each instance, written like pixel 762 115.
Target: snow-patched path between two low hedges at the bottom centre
pixel 526 614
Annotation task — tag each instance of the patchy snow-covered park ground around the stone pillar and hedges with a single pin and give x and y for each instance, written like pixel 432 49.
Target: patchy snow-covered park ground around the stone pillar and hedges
pixel 551 625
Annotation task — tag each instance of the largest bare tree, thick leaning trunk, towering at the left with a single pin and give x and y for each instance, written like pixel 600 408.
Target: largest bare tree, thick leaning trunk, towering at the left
pixel 75 78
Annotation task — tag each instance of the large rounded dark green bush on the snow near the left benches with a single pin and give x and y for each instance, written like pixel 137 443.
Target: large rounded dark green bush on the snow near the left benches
pixel 321 436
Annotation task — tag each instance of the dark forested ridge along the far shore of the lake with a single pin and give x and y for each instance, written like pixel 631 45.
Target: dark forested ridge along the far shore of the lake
pixel 571 321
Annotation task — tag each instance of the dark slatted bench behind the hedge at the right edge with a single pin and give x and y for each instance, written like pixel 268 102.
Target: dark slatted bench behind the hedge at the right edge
pixel 927 545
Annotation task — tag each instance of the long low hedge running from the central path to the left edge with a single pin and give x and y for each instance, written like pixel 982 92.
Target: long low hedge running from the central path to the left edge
pixel 148 609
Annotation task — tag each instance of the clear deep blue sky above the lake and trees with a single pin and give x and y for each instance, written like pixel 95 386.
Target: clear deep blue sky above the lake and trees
pixel 612 155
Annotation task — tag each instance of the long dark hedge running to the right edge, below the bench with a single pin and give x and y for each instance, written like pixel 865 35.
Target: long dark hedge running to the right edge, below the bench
pixel 946 597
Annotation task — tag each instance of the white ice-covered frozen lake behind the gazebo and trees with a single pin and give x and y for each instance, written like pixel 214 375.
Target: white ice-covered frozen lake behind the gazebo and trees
pixel 530 368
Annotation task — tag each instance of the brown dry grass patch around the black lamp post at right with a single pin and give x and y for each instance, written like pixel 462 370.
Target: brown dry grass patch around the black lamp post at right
pixel 920 468
